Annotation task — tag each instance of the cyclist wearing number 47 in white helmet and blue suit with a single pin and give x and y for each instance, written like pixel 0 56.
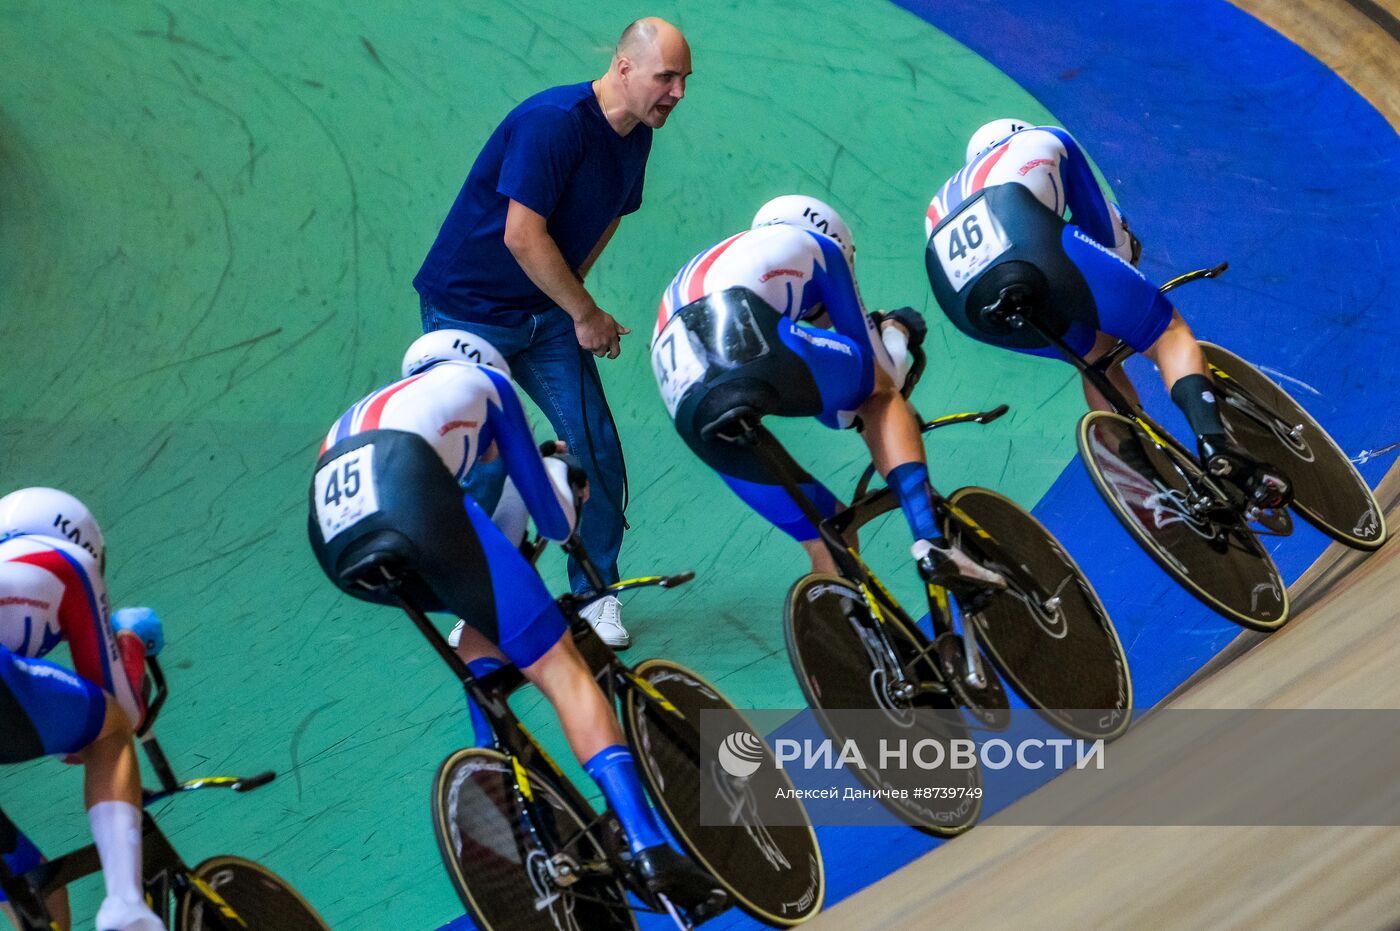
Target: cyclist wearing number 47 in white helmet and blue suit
pixel 793 274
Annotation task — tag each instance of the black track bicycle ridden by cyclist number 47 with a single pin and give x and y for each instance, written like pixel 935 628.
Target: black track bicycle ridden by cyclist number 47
pixel 855 647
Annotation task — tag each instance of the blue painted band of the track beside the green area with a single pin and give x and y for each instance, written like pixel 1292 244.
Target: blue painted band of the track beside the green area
pixel 1221 141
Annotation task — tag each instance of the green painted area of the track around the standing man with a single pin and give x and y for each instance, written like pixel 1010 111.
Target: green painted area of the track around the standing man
pixel 208 229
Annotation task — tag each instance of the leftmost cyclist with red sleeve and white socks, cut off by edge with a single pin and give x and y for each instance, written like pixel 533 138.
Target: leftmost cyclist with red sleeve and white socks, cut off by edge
pixel 52 559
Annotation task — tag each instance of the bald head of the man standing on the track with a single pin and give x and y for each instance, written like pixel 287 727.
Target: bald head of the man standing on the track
pixel 650 68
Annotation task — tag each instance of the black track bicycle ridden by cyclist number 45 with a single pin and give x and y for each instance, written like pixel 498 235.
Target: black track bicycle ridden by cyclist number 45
pixel 526 850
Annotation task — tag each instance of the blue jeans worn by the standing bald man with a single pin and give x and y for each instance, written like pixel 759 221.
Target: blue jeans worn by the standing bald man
pixel 562 379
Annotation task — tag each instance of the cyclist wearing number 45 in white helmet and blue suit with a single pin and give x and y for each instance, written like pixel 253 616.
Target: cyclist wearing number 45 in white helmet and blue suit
pixel 388 479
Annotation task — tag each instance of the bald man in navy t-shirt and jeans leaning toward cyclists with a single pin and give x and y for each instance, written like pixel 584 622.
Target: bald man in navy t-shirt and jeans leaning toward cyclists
pixel 541 204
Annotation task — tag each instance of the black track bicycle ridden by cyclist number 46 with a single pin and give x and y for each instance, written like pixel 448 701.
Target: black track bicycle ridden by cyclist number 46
pixel 1199 528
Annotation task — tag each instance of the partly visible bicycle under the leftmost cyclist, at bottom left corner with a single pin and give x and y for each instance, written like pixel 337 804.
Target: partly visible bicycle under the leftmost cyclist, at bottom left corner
pixel 222 894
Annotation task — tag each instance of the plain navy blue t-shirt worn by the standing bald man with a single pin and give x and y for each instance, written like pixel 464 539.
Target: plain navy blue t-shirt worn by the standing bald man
pixel 559 156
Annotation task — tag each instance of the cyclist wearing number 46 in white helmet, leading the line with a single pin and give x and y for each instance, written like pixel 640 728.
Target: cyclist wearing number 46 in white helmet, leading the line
pixel 1084 272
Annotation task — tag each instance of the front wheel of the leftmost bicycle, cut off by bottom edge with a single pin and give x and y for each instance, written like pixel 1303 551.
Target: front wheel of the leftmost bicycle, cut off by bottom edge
pixel 232 892
